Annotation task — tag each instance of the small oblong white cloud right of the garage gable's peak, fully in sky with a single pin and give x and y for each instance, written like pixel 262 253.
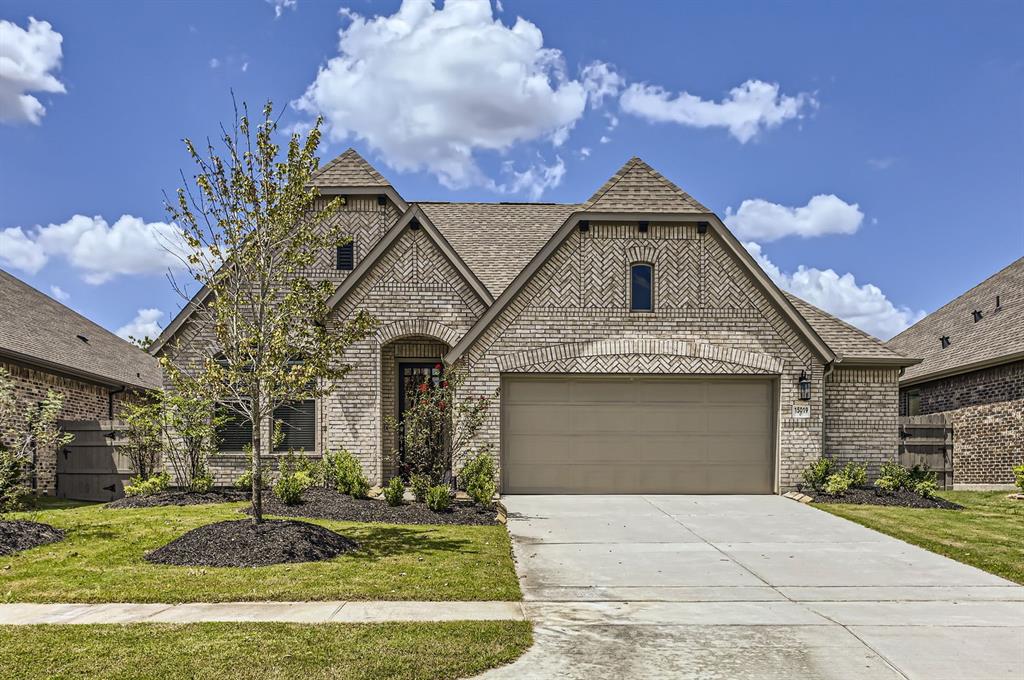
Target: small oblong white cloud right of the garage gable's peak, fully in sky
pixel 827 214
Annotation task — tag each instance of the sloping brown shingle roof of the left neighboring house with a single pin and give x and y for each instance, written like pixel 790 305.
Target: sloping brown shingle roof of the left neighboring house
pixel 36 329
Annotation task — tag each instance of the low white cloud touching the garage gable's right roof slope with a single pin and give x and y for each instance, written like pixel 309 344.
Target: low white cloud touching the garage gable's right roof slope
pixel 865 307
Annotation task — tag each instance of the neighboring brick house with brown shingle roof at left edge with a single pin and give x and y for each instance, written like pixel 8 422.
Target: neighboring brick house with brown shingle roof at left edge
pixel 45 346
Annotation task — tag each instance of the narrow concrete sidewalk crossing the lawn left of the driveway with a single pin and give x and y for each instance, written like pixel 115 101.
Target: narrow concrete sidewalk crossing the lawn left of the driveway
pixel 296 613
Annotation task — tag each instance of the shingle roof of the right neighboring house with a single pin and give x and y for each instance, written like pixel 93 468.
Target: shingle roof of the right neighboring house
pixel 996 338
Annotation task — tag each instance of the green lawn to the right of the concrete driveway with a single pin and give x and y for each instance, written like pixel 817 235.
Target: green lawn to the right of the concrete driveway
pixel 988 534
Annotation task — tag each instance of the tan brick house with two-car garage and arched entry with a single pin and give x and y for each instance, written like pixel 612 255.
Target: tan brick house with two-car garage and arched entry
pixel 637 347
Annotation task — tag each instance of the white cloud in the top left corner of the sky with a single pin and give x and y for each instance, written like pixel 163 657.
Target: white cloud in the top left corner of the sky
pixel 27 58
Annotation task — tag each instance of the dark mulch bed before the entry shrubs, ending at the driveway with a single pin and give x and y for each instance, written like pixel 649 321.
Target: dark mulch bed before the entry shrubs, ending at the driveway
pixel 329 504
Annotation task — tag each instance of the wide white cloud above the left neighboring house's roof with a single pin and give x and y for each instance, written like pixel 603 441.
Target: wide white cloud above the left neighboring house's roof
pixel 99 250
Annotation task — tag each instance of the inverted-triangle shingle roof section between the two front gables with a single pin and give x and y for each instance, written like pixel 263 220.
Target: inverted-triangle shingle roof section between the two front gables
pixel 498 240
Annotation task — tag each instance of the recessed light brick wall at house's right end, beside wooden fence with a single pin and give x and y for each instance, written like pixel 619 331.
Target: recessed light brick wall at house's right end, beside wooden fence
pixel 861 416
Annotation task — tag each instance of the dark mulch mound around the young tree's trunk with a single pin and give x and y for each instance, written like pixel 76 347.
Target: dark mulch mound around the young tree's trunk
pixel 240 543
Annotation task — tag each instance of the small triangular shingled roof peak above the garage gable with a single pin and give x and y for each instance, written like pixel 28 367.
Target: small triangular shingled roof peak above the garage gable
pixel 638 188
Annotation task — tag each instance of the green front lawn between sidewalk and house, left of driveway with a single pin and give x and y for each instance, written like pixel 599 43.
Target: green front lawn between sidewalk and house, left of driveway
pixel 102 562
